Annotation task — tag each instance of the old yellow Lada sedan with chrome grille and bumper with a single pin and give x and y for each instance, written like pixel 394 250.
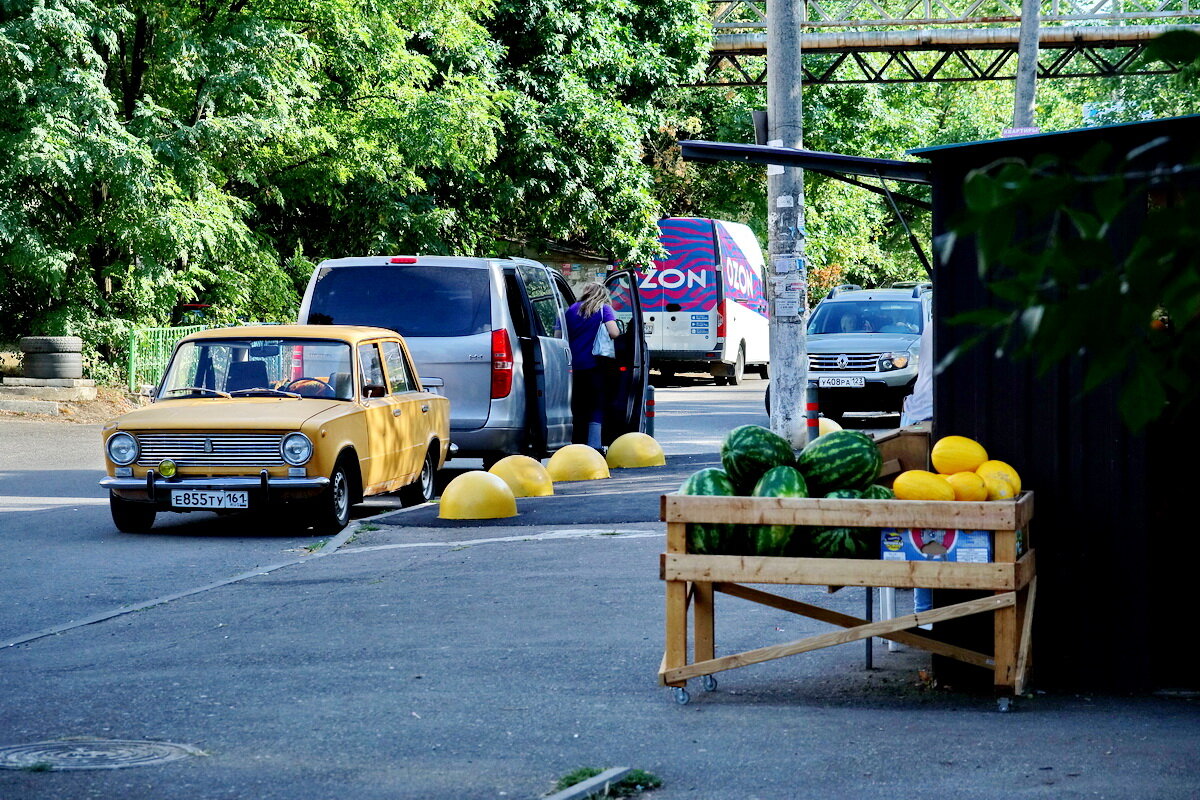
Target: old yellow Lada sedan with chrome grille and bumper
pixel 308 419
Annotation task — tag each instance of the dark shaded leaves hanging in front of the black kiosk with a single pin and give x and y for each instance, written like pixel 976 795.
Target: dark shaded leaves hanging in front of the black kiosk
pixel 1066 292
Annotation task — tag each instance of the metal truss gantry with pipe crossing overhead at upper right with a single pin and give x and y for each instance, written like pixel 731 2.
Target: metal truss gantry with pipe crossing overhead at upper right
pixel 911 41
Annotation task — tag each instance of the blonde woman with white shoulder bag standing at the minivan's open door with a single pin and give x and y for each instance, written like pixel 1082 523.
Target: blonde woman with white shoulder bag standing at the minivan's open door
pixel 589 375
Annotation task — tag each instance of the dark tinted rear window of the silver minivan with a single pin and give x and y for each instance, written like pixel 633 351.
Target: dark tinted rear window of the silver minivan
pixel 412 300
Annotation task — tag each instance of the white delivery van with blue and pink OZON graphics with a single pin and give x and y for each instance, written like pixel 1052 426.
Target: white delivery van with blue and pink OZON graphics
pixel 704 304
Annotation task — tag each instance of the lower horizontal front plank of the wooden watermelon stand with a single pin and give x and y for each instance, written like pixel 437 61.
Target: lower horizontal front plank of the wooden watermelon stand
pixel 839 573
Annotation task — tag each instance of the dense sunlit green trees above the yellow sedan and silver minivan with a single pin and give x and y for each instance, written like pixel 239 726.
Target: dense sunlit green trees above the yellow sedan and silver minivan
pixel 173 151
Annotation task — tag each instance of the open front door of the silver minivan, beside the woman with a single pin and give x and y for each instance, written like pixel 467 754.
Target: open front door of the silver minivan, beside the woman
pixel 631 369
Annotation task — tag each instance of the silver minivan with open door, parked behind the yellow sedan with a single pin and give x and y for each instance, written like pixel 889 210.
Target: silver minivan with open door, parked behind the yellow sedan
pixel 491 335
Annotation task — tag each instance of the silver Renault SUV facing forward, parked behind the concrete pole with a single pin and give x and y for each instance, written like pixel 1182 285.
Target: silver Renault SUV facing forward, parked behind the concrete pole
pixel 863 345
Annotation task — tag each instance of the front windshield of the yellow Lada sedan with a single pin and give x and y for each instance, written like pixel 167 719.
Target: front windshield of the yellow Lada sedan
pixel 248 368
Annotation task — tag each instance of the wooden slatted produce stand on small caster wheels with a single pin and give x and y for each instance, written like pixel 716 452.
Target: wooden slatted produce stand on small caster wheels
pixel 692 581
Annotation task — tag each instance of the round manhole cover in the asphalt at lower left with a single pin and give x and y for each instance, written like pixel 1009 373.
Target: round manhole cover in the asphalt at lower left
pixel 92 755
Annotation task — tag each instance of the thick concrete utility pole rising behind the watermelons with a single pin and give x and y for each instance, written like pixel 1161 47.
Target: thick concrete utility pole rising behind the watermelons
pixel 787 275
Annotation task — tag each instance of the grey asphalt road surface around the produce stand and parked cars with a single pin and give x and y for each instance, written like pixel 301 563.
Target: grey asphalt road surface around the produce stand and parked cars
pixel 423 661
